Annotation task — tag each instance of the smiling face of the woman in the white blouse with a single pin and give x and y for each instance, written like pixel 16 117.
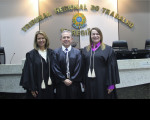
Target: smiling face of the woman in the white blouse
pixel 41 41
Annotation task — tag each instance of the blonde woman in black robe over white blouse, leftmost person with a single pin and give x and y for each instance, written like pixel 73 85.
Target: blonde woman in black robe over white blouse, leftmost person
pixel 37 76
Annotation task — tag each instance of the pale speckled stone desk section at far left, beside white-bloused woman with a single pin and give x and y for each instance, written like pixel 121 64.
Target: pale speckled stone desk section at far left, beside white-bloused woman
pixel 10 78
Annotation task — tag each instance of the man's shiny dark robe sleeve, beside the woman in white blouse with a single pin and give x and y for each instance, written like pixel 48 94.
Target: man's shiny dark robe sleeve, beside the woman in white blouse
pixel 58 76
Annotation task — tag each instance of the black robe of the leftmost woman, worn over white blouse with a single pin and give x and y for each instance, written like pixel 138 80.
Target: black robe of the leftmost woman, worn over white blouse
pixel 31 78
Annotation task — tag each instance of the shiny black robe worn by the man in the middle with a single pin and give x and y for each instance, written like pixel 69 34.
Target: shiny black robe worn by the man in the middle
pixel 59 69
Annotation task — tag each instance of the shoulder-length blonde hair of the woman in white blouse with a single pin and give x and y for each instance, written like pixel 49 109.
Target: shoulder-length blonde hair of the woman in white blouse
pixel 35 45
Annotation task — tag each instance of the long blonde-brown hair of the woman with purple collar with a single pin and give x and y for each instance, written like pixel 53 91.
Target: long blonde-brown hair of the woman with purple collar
pixel 101 40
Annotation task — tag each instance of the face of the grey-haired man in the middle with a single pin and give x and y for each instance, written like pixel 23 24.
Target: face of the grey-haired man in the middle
pixel 66 39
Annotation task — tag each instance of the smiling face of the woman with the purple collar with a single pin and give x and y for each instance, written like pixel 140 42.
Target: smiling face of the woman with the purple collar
pixel 95 36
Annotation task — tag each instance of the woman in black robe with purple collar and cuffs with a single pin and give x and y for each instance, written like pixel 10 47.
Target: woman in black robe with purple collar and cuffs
pixel 100 68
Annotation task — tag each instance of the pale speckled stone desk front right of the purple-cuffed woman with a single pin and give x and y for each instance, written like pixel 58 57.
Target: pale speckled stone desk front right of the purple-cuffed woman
pixel 133 72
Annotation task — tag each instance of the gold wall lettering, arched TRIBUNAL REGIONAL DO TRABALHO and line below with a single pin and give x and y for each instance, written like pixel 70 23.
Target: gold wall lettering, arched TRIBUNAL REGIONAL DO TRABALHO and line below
pixel 78 7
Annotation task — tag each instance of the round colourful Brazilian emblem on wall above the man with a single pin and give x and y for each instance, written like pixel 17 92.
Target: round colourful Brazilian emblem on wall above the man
pixel 79 21
